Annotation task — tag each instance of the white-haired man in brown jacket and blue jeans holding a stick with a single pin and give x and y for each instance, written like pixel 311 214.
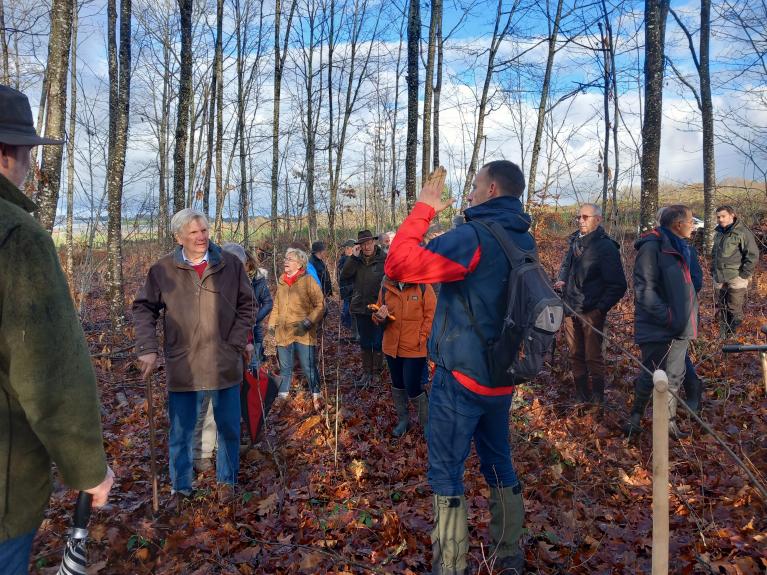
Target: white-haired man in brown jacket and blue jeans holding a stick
pixel 209 312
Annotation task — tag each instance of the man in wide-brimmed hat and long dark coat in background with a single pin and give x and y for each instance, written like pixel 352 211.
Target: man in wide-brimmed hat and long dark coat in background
pixel 365 267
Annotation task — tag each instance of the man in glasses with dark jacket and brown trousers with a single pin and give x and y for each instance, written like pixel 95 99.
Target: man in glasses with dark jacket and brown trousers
pixel 593 281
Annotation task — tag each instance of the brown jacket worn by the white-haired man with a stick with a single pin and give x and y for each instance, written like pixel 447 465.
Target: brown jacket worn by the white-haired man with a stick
pixel 207 320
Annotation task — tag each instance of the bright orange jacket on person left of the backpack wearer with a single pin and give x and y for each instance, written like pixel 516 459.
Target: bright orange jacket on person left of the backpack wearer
pixel 413 307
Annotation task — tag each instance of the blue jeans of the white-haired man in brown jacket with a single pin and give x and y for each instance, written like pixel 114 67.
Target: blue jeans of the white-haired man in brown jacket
pixel 183 409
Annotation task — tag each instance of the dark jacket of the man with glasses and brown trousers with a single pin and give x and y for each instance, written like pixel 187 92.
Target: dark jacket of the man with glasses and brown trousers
pixel 592 272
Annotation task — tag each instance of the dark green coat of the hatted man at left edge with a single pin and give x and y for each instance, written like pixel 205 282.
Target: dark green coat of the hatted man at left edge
pixel 49 405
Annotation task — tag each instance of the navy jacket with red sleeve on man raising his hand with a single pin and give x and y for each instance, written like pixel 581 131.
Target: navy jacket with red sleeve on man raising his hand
pixel 472 268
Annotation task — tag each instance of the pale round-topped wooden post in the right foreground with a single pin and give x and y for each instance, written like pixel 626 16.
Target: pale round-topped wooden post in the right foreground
pixel 660 528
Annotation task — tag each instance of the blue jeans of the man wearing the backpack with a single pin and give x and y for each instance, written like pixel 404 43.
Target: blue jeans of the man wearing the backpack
pixel 456 416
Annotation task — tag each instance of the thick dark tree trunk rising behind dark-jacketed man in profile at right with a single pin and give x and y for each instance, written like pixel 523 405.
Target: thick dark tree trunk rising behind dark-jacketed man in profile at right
pixel 656 12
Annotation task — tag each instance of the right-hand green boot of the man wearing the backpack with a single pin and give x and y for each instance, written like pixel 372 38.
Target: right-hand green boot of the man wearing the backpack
pixel 507 517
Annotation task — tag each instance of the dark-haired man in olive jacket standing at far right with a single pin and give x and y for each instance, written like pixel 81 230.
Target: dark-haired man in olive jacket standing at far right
pixel 733 261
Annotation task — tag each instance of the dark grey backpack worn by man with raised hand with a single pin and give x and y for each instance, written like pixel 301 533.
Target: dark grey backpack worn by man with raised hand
pixel 533 316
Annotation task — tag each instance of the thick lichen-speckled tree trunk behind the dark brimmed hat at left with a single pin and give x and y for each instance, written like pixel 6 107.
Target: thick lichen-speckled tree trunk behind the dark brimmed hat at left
pixel 56 113
